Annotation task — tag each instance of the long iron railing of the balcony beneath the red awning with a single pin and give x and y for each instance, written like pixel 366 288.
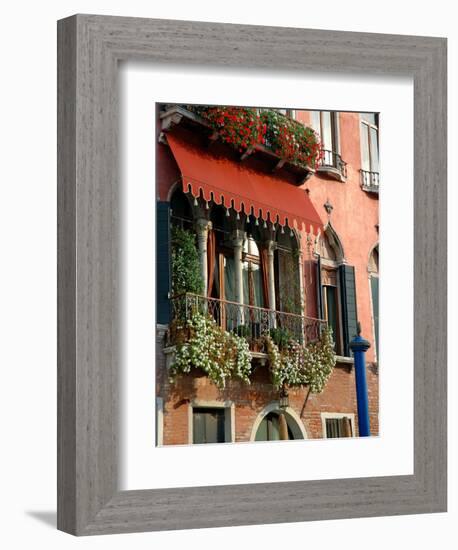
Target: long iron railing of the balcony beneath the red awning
pixel 250 322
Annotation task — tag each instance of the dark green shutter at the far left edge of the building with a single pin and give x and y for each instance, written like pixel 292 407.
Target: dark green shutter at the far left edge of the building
pixel 163 283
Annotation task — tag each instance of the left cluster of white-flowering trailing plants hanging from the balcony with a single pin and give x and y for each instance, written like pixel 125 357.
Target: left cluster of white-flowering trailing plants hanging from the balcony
pixel 220 354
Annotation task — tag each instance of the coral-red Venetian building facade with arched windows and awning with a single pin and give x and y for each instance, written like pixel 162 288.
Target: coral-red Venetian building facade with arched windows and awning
pixel 282 249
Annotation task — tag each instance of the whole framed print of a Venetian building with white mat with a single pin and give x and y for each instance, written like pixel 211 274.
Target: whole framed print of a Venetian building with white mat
pixel 226 214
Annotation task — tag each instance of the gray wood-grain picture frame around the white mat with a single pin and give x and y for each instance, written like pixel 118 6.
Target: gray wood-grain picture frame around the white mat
pixel 89 49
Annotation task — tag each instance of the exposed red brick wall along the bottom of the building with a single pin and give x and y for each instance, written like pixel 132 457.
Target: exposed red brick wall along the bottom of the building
pixel 339 396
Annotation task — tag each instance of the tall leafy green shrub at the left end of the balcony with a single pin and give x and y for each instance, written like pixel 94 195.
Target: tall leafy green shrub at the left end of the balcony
pixel 186 274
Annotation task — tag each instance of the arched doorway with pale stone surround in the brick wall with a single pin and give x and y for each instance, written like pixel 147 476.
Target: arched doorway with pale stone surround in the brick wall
pixel 266 425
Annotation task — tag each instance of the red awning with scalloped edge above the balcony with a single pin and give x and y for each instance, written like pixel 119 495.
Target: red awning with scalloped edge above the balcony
pixel 233 184
